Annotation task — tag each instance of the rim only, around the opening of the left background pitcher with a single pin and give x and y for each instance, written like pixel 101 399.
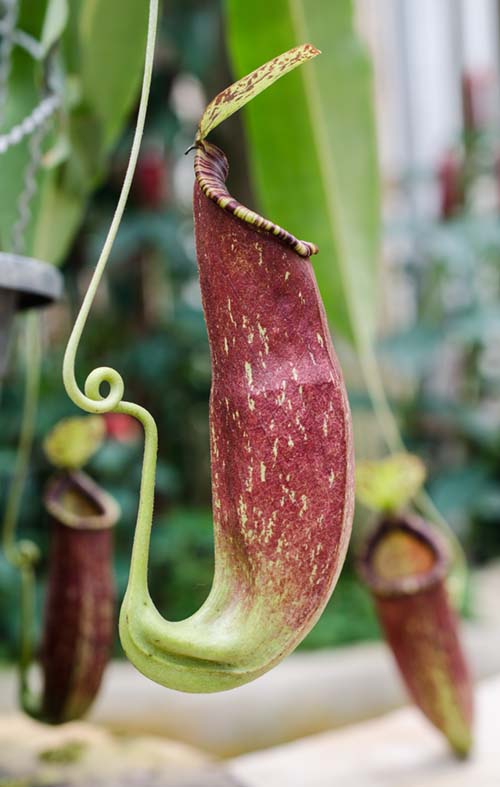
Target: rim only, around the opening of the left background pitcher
pixel 108 508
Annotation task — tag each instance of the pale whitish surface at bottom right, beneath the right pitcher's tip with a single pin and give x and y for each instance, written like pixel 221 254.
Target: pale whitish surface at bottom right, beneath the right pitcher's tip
pixel 399 750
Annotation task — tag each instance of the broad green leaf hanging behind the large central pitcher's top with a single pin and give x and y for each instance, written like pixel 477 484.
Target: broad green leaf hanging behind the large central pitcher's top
pixel 313 147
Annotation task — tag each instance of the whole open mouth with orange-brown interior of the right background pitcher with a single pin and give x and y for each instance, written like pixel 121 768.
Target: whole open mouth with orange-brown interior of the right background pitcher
pixel 402 557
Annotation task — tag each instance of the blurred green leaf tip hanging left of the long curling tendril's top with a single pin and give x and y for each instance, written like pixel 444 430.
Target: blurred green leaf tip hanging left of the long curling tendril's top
pixel 112 41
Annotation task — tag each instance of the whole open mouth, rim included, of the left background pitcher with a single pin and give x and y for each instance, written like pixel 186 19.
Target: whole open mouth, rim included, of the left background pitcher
pixel 75 500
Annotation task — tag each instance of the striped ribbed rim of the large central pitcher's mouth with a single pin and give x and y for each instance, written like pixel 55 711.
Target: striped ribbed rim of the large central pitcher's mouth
pixel 211 170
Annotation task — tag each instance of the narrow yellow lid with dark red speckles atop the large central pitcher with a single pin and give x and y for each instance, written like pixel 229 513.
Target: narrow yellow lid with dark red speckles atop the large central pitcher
pixel 245 89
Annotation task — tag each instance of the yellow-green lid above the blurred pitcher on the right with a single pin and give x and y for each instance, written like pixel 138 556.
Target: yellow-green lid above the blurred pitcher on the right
pixel 388 485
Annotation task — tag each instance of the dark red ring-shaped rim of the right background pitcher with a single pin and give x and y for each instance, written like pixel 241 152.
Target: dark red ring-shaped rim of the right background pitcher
pixel 406 585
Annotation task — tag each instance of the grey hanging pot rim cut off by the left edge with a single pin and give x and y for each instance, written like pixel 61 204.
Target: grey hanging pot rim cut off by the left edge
pixel 36 283
